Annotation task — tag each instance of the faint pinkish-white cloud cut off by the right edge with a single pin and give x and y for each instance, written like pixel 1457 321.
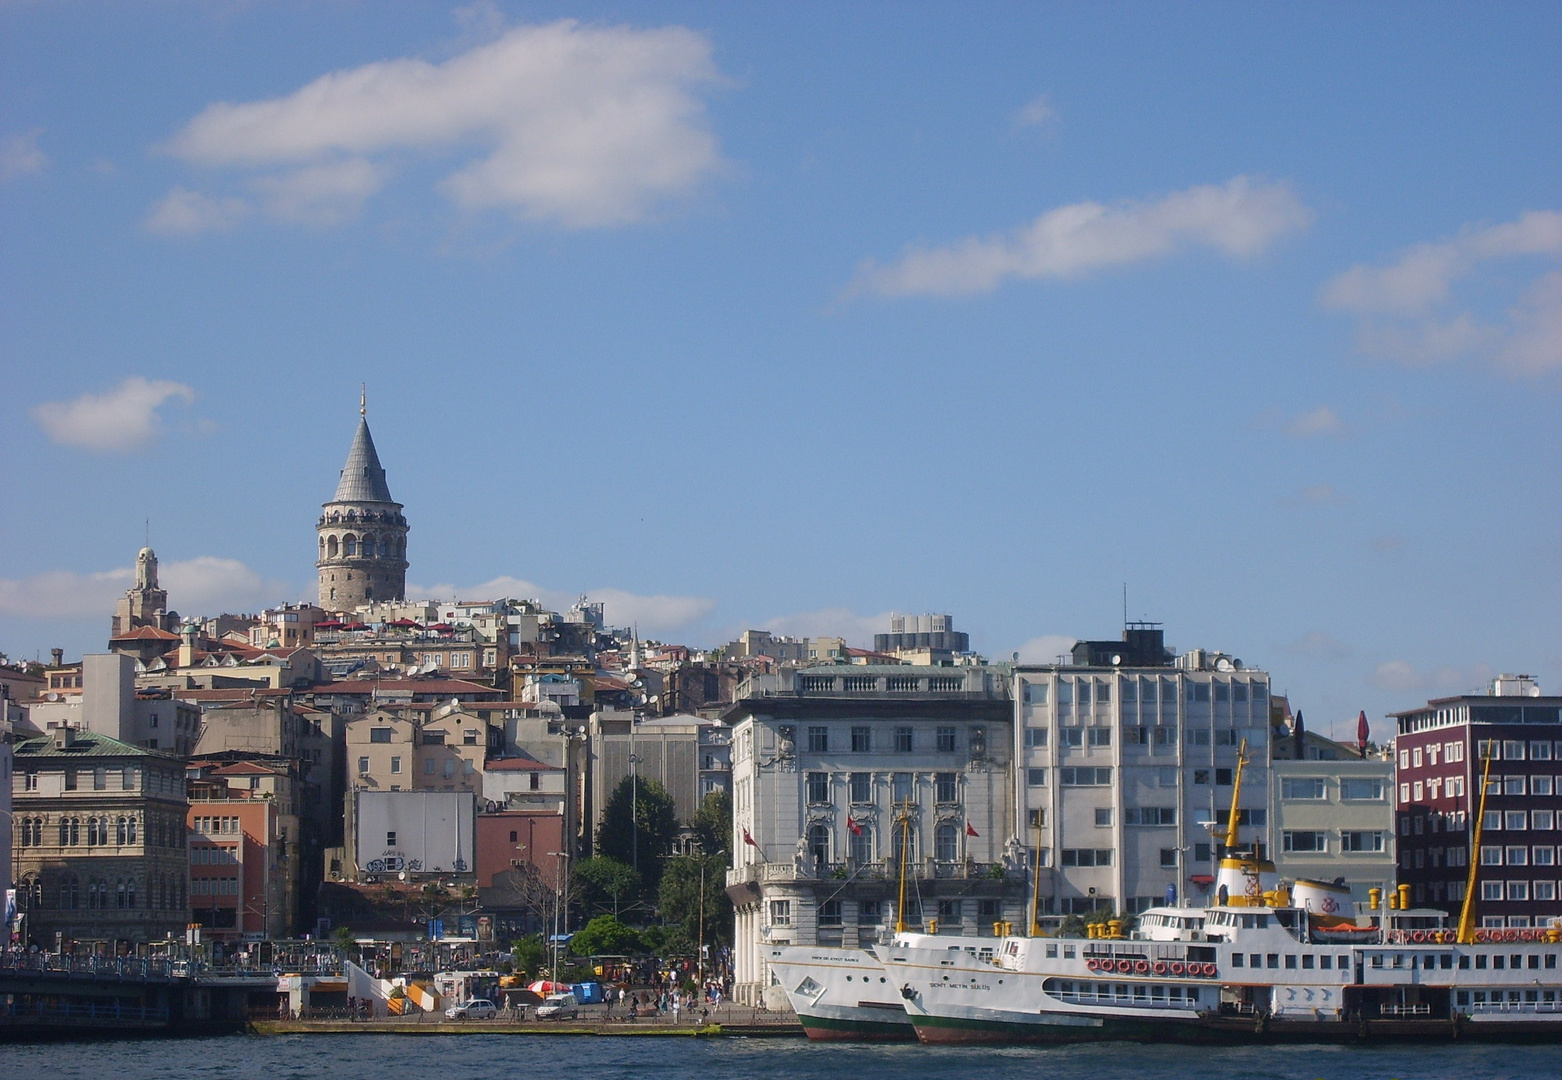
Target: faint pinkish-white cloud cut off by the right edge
pixel 1403 307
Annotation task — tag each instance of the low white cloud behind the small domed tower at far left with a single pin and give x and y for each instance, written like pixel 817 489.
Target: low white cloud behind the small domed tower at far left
pixel 204 585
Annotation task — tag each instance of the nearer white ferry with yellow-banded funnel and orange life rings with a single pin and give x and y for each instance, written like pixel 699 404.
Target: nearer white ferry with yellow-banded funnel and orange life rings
pixel 1264 964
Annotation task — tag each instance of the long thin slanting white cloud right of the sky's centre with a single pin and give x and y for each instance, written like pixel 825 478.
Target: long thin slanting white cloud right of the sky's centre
pixel 1239 220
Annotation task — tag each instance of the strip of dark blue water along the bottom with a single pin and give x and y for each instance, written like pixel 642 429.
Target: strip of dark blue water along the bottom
pixel 497 1057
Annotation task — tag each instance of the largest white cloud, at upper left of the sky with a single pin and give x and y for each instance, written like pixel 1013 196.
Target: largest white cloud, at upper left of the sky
pixel 568 124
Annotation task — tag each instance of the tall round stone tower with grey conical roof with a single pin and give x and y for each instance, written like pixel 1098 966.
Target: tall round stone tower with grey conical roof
pixel 363 534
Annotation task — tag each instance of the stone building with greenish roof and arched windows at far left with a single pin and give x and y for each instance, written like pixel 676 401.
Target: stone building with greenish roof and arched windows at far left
pixel 101 840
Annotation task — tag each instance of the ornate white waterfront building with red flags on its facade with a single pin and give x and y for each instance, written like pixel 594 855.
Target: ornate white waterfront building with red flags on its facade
pixel 836 773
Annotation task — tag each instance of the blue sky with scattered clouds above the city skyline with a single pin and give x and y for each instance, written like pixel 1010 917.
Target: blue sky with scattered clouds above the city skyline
pixel 791 316
